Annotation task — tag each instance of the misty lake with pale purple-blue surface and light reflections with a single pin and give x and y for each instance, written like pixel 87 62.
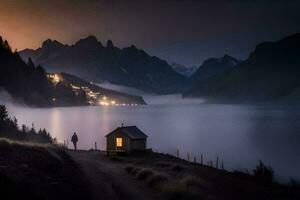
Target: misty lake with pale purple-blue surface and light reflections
pixel 238 135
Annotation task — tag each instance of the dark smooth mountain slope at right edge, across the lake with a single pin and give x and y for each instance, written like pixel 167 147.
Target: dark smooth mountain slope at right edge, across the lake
pixel 271 73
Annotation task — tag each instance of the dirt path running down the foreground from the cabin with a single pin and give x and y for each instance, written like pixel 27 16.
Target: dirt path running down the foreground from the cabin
pixel 108 178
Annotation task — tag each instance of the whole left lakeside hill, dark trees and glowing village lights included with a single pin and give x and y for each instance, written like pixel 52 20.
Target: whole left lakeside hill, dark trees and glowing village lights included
pixel 32 85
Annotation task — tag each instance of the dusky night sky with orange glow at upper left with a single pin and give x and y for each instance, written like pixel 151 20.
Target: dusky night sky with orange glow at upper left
pixel 182 31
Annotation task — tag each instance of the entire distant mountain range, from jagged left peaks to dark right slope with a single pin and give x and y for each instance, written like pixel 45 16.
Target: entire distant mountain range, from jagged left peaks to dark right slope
pixel 269 74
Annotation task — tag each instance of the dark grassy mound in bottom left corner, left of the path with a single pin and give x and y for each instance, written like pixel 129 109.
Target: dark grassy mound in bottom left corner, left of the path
pixel 35 171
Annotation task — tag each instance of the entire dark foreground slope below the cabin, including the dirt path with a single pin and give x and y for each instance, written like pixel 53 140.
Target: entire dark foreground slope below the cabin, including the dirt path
pixel 47 172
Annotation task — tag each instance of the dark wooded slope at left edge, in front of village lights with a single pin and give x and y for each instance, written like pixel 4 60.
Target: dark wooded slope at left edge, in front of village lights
pixel 29 83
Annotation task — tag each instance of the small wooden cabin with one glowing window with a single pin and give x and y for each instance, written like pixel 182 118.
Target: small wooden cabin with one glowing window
pixel 126 139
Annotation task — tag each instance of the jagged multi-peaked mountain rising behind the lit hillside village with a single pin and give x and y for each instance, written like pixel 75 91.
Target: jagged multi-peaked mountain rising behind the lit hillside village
pixel 91 60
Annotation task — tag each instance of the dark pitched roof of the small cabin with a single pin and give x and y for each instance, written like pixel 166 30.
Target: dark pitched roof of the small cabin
pixel 131 131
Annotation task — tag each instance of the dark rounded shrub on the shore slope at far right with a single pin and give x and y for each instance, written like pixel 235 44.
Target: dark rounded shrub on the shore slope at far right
pixel 263 173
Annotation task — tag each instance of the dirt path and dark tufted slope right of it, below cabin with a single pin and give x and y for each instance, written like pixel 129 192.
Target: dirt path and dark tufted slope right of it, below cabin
pixel 158 176
